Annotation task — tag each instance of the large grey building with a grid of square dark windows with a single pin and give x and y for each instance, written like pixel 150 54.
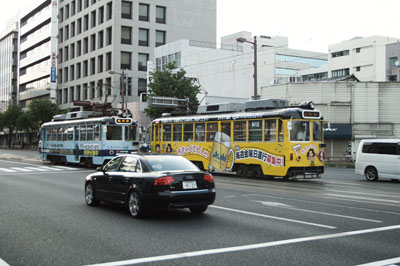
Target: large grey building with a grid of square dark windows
pixel 96 37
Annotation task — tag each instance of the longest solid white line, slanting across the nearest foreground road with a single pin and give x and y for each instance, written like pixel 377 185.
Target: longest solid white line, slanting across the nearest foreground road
pixel 246 247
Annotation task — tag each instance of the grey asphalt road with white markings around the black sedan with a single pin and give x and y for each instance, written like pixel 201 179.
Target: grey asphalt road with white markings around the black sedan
pixel 340 219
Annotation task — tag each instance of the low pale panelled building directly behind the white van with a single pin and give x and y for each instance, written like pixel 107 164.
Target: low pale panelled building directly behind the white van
pixel 352 110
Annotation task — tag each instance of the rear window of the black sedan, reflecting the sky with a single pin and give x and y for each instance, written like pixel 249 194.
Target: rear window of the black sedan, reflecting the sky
pixel 170 163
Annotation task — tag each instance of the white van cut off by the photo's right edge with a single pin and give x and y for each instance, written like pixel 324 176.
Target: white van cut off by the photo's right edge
pixel 378 158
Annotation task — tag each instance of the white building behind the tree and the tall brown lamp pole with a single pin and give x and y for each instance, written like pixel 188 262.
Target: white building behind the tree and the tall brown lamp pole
pixel 228 70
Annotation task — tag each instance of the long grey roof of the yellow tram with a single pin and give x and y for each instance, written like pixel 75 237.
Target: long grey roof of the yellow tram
pixel 284 113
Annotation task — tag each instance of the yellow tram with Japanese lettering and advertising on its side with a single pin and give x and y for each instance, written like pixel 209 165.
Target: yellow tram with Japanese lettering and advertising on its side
pixel 278 142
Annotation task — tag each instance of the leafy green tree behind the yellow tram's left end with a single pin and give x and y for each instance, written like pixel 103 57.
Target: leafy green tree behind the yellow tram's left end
pixel 172 82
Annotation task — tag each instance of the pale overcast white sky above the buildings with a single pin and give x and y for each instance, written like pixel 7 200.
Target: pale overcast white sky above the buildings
pixel 309 24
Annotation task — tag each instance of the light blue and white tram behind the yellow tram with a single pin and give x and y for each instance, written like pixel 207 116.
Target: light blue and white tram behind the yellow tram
pixel 91 140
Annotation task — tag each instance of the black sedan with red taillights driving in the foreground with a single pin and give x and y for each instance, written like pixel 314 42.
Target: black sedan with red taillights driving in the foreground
pixel 143 182
